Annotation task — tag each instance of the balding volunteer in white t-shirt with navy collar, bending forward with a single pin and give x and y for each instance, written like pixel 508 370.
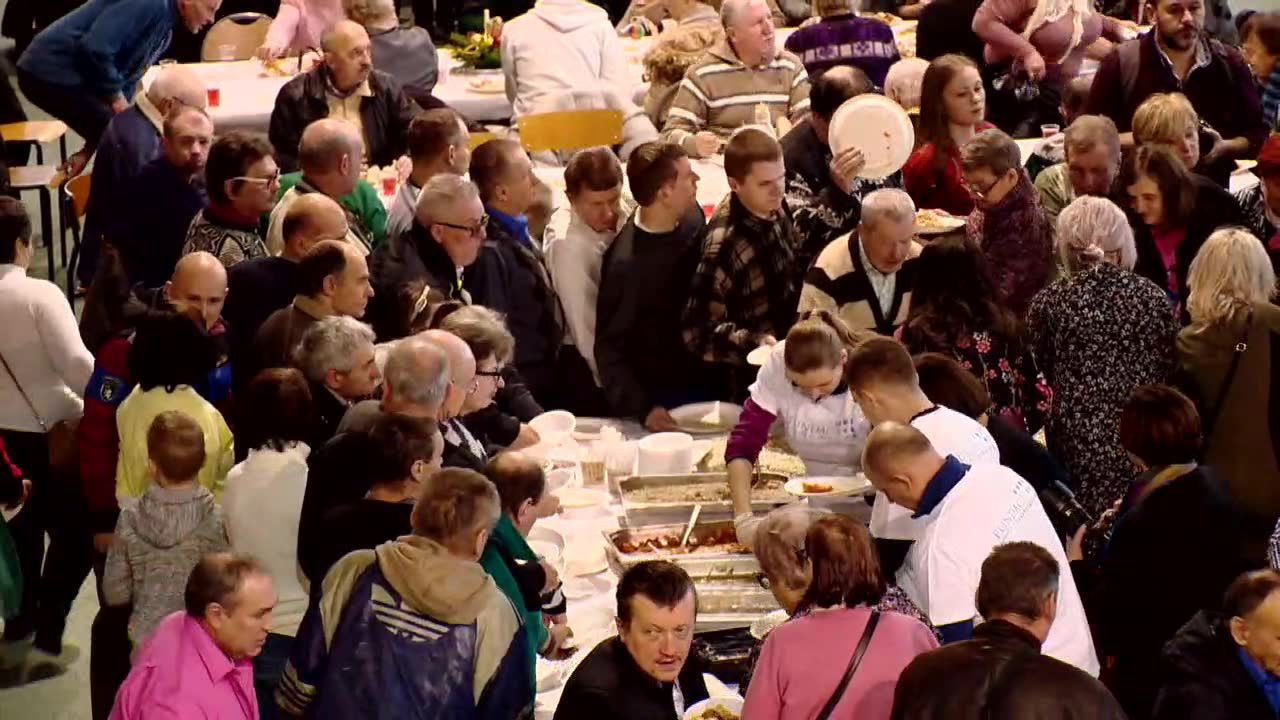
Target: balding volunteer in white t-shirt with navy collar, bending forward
pixel 968 512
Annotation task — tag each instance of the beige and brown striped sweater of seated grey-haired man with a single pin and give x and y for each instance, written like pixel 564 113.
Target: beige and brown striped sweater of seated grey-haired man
pixel 720 94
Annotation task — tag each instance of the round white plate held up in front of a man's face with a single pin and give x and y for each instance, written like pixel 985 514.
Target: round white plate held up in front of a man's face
pixel 879 127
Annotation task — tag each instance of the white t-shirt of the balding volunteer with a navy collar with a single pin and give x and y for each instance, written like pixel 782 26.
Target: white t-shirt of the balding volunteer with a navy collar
pixel 990 507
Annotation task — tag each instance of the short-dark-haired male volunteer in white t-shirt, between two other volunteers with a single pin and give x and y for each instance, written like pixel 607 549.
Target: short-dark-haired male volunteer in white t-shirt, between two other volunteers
pixel 883 380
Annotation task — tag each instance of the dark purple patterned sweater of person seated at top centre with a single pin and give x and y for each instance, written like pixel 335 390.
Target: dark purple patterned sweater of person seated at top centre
pixel 847 40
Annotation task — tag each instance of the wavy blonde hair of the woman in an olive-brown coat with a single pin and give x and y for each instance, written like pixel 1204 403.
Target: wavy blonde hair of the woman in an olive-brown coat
pixel 1231 272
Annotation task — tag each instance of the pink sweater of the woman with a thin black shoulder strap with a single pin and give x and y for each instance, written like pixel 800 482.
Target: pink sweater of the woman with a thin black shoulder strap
pixel 804 659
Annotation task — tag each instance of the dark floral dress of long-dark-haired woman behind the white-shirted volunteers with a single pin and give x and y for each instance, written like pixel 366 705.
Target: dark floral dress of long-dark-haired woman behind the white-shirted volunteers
pixel 1018 390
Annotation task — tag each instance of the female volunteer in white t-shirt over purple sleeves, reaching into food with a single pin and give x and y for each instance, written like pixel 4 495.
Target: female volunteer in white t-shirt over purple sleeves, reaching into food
pixel 802 388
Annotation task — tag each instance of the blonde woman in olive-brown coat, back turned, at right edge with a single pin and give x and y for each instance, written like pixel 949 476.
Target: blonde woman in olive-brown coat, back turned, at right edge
pixel 1226 356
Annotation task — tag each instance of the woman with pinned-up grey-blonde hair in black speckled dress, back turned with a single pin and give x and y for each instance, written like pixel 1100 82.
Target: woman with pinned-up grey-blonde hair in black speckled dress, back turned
pixel 1098 334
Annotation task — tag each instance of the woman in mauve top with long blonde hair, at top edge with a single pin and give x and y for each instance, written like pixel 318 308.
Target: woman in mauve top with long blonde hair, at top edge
pixel 1046 38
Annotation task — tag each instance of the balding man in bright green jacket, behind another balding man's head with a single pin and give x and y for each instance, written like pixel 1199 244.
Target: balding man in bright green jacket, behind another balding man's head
pixel 331 153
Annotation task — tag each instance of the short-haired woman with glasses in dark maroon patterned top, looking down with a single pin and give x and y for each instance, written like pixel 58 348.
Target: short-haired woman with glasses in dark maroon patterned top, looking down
pixel 1008 222
